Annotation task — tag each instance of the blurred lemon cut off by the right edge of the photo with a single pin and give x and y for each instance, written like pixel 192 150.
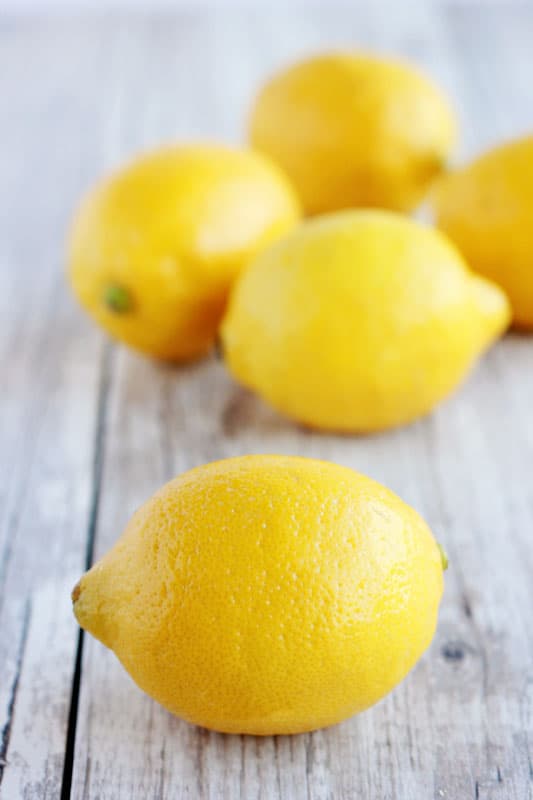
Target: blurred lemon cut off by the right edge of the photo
pixel 487 209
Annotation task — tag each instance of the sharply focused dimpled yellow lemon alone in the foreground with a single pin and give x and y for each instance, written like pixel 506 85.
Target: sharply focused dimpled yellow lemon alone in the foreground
pixel 267 594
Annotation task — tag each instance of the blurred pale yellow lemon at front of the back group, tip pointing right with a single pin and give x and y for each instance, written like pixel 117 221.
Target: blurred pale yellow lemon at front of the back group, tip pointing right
pixel 359 321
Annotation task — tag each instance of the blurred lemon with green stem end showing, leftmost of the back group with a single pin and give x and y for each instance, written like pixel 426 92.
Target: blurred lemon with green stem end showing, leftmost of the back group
pixel 155 247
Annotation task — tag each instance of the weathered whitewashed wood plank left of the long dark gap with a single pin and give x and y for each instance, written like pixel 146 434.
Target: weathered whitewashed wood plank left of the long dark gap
pixel 50 362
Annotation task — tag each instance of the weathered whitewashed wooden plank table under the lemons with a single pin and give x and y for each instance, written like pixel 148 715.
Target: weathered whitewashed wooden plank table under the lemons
pixel 88 430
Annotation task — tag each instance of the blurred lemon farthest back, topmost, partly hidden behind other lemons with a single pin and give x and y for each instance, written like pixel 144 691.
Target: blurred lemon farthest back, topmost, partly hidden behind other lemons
pixel 354 130
